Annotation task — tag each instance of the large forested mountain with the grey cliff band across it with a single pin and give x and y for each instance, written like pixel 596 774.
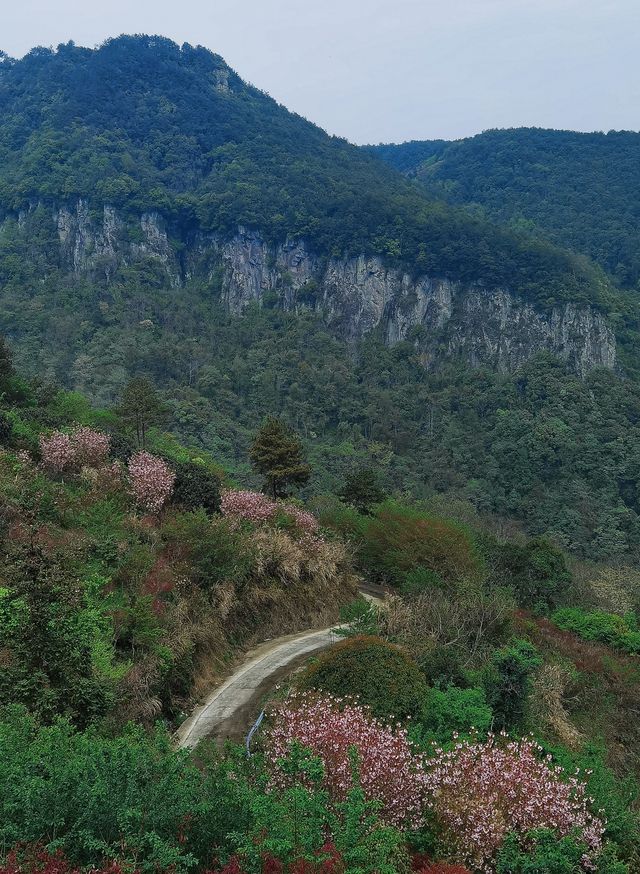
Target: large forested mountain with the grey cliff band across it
pixel 161 217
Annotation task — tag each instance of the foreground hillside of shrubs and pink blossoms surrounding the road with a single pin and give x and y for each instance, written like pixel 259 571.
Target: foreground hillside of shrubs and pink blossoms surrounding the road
pixel 133 578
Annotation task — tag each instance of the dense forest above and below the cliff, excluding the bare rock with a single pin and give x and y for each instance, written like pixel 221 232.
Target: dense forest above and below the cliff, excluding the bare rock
pixel 144 124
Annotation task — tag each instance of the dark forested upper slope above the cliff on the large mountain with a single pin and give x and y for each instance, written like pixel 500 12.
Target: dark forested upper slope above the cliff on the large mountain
pixel 143 124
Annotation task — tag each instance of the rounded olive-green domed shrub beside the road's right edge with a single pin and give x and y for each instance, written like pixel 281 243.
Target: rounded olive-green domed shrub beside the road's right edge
pixel 385 679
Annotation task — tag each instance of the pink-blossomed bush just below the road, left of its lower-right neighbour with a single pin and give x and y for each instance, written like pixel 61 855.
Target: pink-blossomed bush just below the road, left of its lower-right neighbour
pixel 389 770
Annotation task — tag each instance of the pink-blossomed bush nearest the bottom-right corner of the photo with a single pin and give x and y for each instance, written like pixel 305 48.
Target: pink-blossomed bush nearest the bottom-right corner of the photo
pixel 480 791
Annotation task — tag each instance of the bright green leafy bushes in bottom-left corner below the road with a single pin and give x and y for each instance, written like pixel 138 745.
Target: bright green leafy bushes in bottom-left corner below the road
pixel 130 796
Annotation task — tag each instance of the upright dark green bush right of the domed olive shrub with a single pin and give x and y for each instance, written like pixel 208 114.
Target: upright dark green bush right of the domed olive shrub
pixel 506 680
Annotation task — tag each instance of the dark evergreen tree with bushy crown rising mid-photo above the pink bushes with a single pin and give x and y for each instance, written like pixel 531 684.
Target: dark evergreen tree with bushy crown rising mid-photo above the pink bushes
pixel 276 453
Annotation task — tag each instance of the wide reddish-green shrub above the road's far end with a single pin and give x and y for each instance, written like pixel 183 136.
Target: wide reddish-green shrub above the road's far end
pixel 399 539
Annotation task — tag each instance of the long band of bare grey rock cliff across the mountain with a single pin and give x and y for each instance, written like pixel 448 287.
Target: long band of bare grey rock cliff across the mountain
pixel 355 295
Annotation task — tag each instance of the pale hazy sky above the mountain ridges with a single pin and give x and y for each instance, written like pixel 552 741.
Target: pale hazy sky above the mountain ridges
pixel 389 70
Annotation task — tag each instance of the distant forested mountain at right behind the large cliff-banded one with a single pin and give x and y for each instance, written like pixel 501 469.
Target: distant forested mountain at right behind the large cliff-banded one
pixel 578 190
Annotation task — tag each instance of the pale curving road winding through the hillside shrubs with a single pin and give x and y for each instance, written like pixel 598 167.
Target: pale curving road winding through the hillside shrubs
pixel 231 708
